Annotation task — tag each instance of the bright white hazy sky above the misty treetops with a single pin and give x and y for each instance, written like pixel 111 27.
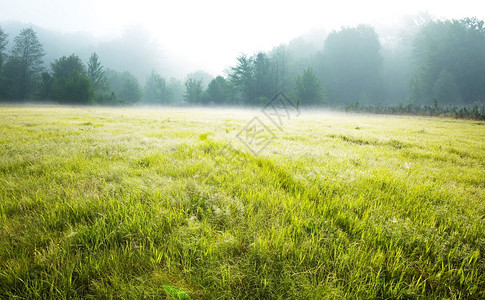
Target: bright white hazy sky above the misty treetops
pixel 210 34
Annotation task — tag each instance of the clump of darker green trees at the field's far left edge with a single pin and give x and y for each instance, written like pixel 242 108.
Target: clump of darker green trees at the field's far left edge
pixel 23 76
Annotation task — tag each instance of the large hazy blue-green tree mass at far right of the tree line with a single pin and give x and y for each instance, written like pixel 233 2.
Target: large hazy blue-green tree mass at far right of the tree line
pixel 452 51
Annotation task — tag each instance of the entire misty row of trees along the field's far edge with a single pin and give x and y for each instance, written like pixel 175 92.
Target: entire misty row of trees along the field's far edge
pixel 440 63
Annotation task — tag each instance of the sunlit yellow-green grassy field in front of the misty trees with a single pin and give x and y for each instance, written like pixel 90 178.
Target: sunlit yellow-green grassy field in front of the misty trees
pixel 134 203
